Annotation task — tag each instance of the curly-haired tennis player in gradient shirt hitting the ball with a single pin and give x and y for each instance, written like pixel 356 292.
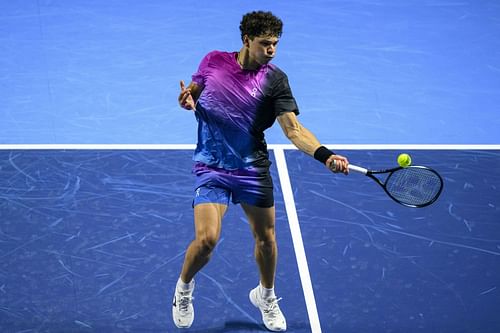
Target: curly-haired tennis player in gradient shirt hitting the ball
pixel 235 97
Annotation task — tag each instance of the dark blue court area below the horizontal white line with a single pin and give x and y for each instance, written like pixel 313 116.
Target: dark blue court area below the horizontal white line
pixel 93 241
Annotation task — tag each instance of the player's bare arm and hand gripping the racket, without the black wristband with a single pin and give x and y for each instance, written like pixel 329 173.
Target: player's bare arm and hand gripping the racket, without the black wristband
pixel 305 141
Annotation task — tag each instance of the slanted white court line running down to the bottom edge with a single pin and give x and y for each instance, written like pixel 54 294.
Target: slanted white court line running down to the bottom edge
pixel 298 244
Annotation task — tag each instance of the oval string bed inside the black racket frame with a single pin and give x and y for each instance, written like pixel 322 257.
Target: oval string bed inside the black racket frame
pixel 414 186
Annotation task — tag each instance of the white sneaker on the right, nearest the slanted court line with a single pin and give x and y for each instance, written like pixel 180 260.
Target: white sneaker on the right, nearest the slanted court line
pixel 271 314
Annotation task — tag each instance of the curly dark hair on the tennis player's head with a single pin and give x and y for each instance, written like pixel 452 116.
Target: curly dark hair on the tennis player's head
pixel 260 23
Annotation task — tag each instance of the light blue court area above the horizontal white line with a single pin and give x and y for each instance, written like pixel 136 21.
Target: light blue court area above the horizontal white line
pixel 362 71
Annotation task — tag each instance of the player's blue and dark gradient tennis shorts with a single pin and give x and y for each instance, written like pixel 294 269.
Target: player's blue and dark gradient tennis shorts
pixel 213 185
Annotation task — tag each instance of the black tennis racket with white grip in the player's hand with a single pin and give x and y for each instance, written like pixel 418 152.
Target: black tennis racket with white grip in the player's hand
pixel 413 186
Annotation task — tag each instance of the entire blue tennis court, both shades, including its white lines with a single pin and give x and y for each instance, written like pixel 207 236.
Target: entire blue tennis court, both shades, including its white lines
pixel 96 157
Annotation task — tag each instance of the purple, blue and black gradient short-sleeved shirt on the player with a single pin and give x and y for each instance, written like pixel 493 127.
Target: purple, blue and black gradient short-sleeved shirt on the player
pixel 234 109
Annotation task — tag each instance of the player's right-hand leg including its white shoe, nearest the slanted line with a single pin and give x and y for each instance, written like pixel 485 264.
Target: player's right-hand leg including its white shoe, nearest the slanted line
pixel 262 222
